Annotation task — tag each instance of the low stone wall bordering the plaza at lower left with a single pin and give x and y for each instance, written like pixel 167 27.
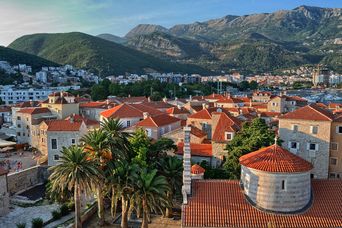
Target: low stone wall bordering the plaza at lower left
pixel 21 181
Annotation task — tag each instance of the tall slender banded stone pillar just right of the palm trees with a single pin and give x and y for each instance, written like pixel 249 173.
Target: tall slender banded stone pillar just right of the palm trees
pixel 186 188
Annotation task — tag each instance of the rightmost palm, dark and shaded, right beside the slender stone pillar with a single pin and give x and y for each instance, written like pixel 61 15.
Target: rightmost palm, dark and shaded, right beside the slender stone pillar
pixel 172 169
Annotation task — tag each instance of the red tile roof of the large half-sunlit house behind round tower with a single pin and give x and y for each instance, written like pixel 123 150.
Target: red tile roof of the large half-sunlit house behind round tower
pixel 309 112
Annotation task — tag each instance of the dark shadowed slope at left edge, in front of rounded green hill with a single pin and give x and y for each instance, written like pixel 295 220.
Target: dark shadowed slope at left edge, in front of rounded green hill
pixel 17 57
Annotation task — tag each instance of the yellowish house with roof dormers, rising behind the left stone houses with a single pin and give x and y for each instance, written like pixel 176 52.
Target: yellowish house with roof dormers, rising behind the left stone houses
pixel 61 104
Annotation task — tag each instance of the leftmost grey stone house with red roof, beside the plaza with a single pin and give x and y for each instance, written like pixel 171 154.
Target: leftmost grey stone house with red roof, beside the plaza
pixel 26 118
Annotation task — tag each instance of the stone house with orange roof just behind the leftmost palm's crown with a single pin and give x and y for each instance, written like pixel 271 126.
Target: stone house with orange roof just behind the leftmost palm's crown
pixel 51 136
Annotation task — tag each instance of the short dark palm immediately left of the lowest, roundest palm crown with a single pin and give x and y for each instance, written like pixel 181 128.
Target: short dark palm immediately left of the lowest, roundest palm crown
pixel 120 175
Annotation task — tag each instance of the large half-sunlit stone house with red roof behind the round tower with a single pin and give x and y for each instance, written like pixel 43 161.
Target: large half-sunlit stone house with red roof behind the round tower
pixel 307 133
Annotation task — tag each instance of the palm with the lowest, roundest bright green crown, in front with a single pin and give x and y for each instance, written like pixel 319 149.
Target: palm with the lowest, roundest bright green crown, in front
pixel 150 191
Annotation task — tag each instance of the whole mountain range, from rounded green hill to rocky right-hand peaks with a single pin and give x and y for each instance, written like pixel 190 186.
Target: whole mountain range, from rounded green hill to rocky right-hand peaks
pixel 254 43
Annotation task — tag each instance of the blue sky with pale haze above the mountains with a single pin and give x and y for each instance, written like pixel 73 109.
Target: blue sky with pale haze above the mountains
pixel 22 17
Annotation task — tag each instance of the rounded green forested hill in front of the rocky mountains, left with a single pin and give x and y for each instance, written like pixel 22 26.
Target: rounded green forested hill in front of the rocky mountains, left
pixel 96 54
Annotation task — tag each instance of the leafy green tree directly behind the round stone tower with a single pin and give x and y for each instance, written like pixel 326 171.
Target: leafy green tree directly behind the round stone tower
pixel 251 137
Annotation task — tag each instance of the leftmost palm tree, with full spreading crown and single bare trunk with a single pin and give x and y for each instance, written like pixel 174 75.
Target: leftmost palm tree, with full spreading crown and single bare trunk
pixel 76 171
